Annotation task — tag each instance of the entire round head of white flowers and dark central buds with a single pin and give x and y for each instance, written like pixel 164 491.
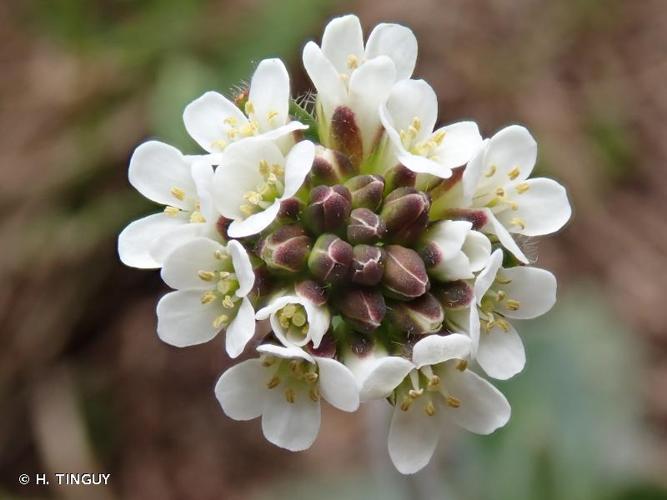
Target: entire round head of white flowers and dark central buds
pixel 364 252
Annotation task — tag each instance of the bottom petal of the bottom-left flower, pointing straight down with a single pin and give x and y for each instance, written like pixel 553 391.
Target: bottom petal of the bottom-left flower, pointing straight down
pixel 293 426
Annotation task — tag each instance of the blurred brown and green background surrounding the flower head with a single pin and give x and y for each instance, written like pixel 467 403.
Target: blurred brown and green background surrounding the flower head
pixel 85 385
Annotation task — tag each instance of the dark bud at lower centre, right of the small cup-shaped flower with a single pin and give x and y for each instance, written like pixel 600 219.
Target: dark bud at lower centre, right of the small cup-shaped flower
pixel 363 309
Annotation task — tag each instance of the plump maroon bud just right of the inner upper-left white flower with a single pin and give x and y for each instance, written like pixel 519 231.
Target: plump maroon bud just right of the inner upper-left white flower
pixel 328 209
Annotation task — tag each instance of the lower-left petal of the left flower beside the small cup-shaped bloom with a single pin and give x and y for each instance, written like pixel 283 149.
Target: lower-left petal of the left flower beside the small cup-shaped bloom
pixel 182 320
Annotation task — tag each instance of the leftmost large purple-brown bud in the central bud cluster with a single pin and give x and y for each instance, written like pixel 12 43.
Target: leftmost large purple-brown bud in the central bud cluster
pixel 286 249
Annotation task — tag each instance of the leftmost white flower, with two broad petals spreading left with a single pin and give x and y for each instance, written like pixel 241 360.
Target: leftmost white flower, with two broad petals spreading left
pixel 163 175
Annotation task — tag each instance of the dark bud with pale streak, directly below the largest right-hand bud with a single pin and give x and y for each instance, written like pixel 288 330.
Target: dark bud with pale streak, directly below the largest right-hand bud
pixel 418 317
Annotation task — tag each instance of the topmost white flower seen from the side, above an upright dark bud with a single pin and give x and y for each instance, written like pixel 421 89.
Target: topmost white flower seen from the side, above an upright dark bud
pixel 349 75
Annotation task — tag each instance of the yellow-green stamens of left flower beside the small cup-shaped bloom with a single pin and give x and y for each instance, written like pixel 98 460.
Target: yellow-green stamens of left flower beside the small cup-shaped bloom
pixel 224 283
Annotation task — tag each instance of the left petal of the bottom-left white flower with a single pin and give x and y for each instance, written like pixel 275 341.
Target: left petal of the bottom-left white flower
pixel 241 390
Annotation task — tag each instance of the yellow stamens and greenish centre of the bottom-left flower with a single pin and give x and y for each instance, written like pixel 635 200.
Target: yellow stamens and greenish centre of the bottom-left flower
pixel 295 377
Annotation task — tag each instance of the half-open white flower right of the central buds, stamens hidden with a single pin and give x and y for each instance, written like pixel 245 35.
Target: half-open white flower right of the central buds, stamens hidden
pixel 453 251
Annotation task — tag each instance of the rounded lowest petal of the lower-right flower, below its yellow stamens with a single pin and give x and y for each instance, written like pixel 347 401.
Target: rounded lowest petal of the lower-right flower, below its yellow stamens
pixel 501 354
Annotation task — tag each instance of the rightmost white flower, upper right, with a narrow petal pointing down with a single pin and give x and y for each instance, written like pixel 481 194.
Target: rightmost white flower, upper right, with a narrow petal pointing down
pixel 497 181
